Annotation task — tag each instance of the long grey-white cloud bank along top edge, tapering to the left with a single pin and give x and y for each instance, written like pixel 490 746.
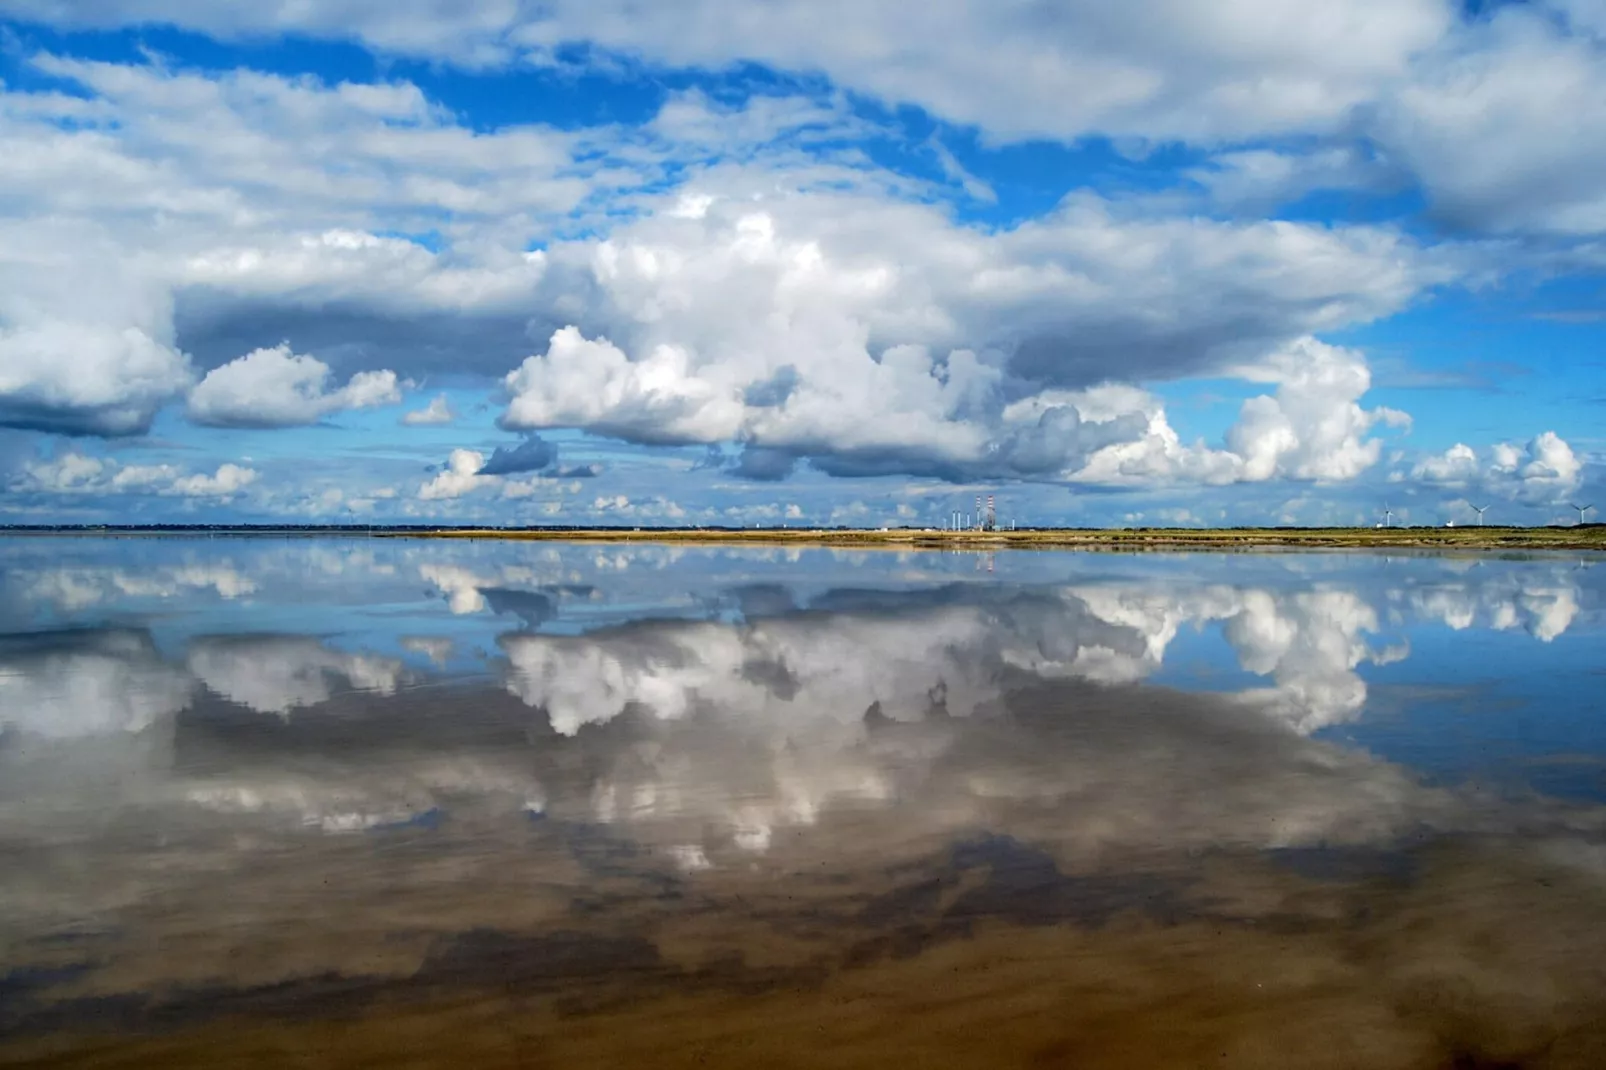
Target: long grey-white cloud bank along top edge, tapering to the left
pixel 1157 70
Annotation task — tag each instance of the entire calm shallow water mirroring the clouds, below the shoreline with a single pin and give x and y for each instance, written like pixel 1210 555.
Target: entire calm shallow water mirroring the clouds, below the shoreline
pixel 393 802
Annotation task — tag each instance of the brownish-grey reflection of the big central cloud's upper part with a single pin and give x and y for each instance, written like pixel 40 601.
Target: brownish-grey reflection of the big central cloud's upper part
pixel 1138 770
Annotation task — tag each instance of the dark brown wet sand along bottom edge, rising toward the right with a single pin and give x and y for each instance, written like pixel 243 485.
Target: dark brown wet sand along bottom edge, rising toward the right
pixel 1467 966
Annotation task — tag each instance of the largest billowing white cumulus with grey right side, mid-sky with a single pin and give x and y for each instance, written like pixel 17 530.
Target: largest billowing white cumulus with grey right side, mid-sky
pixel 924 364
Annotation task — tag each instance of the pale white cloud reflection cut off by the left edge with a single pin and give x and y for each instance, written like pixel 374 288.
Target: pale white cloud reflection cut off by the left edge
pixel 88 687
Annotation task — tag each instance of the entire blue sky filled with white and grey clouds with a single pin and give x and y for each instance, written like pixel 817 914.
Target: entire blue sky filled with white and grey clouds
pixel 778 263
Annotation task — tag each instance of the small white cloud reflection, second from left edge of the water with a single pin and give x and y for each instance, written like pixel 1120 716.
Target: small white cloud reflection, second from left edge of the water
pixel 279 674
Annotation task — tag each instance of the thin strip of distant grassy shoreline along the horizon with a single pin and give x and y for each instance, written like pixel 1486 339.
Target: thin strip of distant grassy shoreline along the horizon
pixel 1491 537
